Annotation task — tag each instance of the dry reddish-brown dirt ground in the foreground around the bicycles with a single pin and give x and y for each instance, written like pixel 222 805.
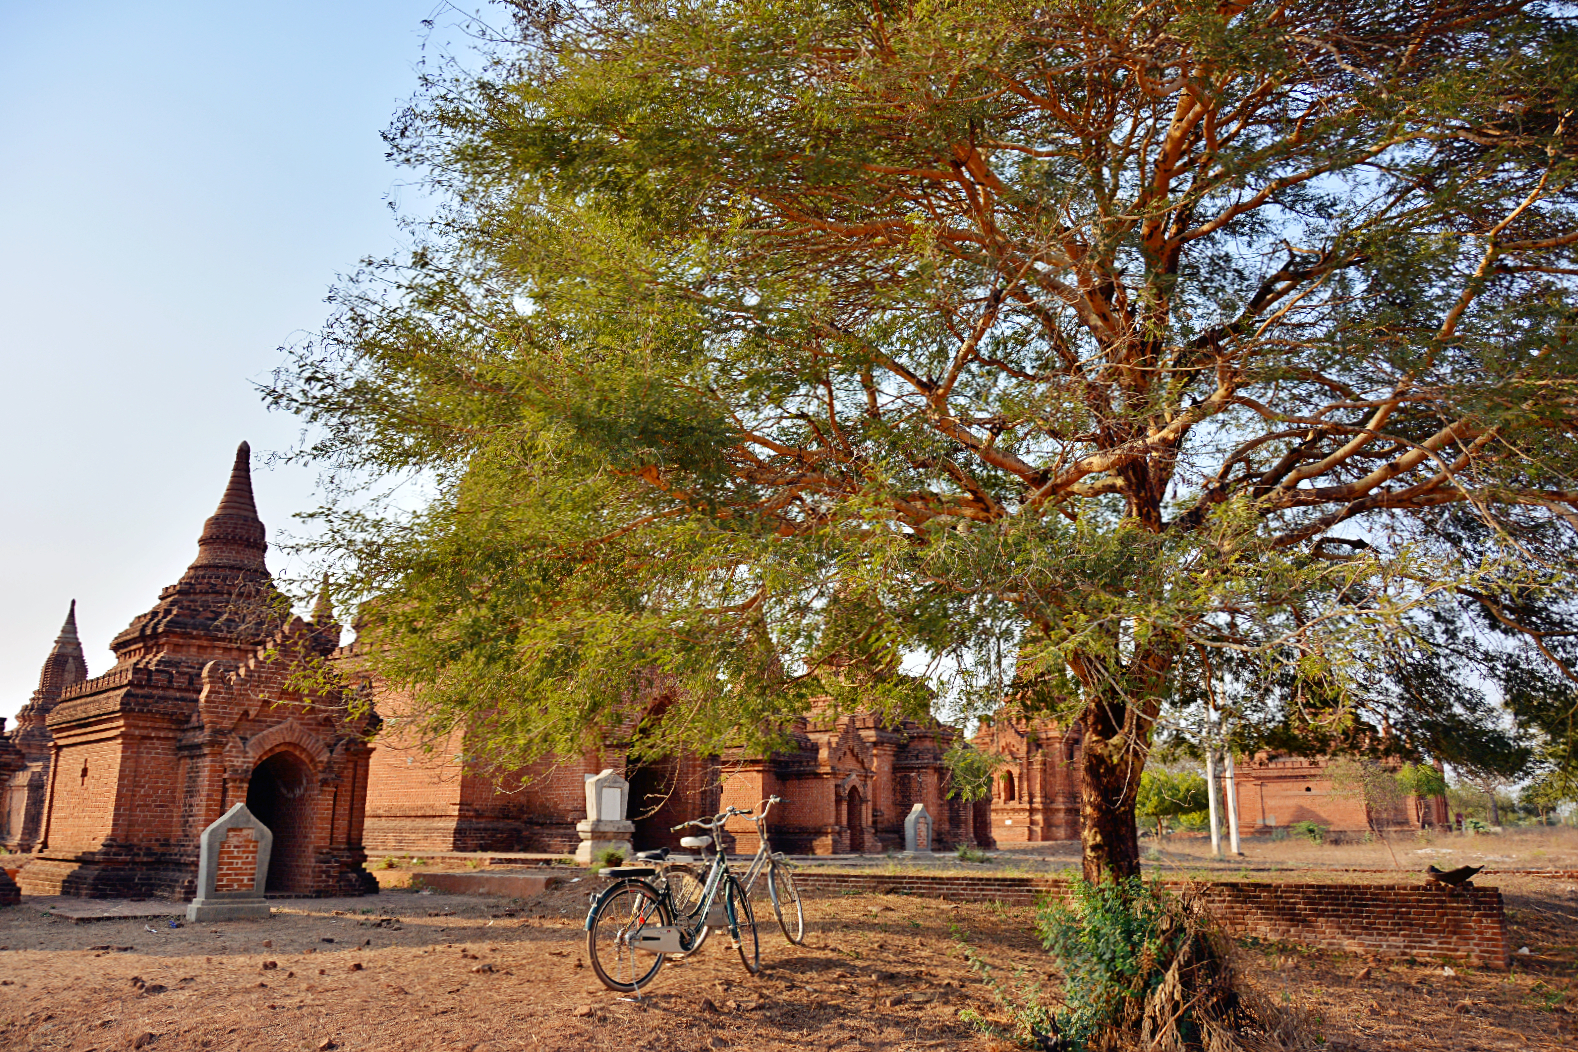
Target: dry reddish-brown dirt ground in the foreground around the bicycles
pixel 408 971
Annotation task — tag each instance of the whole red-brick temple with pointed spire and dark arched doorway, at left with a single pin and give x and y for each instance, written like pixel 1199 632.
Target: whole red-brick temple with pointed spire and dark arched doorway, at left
pixel 215 698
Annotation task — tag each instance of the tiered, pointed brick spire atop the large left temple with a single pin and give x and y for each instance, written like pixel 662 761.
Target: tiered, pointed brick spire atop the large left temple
pixel 226 595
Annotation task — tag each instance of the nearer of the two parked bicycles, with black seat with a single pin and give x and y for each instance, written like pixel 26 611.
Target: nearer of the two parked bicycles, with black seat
pixel 621 919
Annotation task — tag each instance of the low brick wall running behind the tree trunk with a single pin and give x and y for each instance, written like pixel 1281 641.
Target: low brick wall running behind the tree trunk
pixel 1377 919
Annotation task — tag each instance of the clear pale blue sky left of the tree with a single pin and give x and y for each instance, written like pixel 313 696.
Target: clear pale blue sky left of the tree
pixel 181 185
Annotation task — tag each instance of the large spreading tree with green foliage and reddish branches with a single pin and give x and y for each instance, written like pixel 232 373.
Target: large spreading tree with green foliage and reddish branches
pixel 771 349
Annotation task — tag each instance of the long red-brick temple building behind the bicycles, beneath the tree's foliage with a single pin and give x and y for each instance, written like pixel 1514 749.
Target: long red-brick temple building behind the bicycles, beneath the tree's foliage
pixel 848 782
